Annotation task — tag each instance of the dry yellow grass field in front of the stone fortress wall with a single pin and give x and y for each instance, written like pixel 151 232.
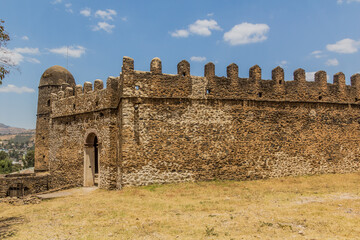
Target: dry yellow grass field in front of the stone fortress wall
pixel 314 207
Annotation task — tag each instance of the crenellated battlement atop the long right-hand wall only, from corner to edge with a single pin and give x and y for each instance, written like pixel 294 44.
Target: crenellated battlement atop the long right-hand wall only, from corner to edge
pixel 184 85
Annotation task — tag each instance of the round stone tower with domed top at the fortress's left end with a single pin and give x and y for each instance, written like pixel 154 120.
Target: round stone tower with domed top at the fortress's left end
pixel 51 82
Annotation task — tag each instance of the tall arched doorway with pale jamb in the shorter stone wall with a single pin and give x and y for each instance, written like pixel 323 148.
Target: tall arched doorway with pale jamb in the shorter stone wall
pixel 91 160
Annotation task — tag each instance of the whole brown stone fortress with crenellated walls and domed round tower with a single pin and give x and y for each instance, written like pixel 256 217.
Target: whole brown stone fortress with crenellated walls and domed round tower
pixel 149 127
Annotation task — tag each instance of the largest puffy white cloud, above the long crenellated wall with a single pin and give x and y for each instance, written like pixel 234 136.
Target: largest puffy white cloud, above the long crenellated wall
pixel 245 33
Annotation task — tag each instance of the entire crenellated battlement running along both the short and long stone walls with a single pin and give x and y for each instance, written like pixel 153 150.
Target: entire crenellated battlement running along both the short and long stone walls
pixel 155 84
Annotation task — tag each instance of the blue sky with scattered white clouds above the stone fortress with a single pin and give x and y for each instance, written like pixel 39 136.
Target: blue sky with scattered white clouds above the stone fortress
pixel 311 34
